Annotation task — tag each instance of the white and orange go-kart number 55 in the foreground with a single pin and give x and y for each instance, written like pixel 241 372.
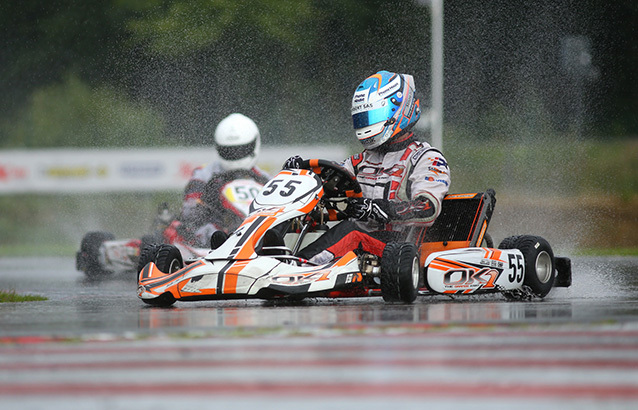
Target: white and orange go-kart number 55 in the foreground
pixel 258 260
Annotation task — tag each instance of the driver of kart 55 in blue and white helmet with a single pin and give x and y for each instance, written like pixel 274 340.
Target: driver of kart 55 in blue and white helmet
pixel 403 180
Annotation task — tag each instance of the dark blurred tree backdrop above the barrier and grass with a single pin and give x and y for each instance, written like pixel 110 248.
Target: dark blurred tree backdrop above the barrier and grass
pixel 141 72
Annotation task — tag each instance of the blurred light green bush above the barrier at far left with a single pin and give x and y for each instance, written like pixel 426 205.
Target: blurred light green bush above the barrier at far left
pixel 73 114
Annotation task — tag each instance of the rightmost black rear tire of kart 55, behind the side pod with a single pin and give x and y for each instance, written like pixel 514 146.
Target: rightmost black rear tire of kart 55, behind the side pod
pixel 539 262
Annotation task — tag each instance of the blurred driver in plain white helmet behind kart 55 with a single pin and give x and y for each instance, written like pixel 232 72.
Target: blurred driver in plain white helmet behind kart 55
pixel 238 142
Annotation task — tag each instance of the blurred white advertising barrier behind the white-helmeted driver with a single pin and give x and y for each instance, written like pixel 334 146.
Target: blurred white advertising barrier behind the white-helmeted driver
pixel 139 169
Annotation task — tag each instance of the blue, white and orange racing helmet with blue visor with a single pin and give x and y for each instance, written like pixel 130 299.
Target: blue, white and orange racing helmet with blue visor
pixel 384 107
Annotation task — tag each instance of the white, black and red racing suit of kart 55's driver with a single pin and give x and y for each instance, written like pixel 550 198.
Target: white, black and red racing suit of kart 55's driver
pixel 406 179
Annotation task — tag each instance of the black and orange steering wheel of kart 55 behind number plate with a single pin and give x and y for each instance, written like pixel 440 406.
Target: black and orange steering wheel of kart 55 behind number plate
pixel 337 180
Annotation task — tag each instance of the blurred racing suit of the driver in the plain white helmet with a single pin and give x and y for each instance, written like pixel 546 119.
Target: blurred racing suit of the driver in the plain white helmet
pixel 203 210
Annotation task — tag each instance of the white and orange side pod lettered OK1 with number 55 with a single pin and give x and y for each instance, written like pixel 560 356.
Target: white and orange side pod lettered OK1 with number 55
pixel 474 270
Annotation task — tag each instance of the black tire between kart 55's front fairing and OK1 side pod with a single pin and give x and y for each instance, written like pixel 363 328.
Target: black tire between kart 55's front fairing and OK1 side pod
pixel 400 272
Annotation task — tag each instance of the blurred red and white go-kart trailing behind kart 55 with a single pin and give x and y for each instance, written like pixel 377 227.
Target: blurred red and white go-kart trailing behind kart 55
pixel 102 254
